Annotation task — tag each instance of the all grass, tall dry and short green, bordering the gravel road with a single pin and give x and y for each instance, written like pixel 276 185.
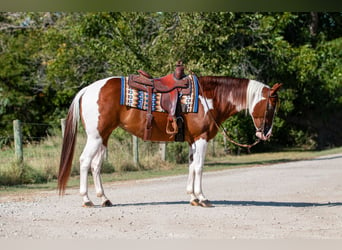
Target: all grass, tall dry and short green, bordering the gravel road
pixel 41 161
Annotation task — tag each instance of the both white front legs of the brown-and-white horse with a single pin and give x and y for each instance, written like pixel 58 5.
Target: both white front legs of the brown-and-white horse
pixel 194 185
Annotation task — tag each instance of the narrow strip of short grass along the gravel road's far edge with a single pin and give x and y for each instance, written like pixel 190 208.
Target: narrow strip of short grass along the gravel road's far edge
pixel 212 164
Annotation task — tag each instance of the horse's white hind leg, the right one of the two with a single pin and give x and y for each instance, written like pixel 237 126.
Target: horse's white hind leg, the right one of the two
pixel 96 165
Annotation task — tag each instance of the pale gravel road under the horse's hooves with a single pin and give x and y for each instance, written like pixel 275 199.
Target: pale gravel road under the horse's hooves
pixel 290 200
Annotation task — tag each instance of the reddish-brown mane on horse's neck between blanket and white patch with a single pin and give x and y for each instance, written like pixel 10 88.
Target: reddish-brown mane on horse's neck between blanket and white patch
pixel 225 91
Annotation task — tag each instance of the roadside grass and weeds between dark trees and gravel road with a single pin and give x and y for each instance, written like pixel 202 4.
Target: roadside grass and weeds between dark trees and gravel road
pixel 40 167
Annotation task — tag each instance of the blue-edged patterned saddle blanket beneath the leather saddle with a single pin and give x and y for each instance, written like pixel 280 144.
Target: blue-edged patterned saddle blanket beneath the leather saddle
pixel 139 99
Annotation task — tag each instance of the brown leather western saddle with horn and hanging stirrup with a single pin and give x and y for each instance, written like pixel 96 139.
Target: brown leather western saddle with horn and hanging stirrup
pixel 171 87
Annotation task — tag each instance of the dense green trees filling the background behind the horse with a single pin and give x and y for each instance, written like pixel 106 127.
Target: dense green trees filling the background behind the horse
pixel 45 58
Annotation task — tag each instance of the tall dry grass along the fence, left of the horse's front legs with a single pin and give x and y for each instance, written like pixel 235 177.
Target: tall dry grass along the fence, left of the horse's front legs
pixel 41 161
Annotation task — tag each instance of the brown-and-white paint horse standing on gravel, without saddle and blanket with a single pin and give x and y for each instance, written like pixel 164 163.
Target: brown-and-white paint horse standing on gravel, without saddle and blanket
pixel 98 106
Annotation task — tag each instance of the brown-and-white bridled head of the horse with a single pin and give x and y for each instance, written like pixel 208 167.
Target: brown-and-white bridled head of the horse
pixel 264 110
